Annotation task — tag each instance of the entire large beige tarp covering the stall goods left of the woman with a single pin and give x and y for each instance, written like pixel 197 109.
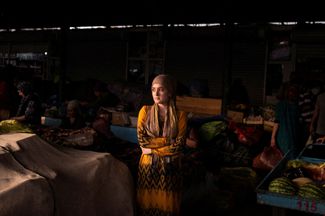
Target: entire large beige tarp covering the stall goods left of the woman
pixel 37 178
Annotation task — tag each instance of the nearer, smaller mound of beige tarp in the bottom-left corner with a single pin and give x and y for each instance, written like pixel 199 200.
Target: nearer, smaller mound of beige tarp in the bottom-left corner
pixel 21 189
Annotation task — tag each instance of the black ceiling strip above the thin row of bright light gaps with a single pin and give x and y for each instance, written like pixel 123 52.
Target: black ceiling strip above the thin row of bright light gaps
pixel 156 12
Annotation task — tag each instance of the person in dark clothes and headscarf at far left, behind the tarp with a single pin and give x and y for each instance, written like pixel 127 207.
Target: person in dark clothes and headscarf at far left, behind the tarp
pixel 30 108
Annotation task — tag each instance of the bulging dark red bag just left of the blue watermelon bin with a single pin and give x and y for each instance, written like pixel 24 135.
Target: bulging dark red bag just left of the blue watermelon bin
pixel 268 158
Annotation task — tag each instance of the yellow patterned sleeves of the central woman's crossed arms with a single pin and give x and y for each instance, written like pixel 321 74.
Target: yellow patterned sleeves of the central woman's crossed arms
pixel 161 145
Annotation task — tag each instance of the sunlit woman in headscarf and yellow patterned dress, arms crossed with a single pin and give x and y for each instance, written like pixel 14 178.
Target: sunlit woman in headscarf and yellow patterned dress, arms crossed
pixel 161 134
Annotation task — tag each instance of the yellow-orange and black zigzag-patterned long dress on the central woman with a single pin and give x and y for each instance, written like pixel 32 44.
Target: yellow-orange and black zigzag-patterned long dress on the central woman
pixel 159 176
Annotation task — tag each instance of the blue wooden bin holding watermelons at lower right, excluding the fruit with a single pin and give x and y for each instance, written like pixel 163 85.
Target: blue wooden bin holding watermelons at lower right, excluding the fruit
pixel 313 153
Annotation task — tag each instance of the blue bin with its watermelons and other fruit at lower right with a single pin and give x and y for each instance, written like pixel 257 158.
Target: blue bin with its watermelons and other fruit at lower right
pixel 298 183
